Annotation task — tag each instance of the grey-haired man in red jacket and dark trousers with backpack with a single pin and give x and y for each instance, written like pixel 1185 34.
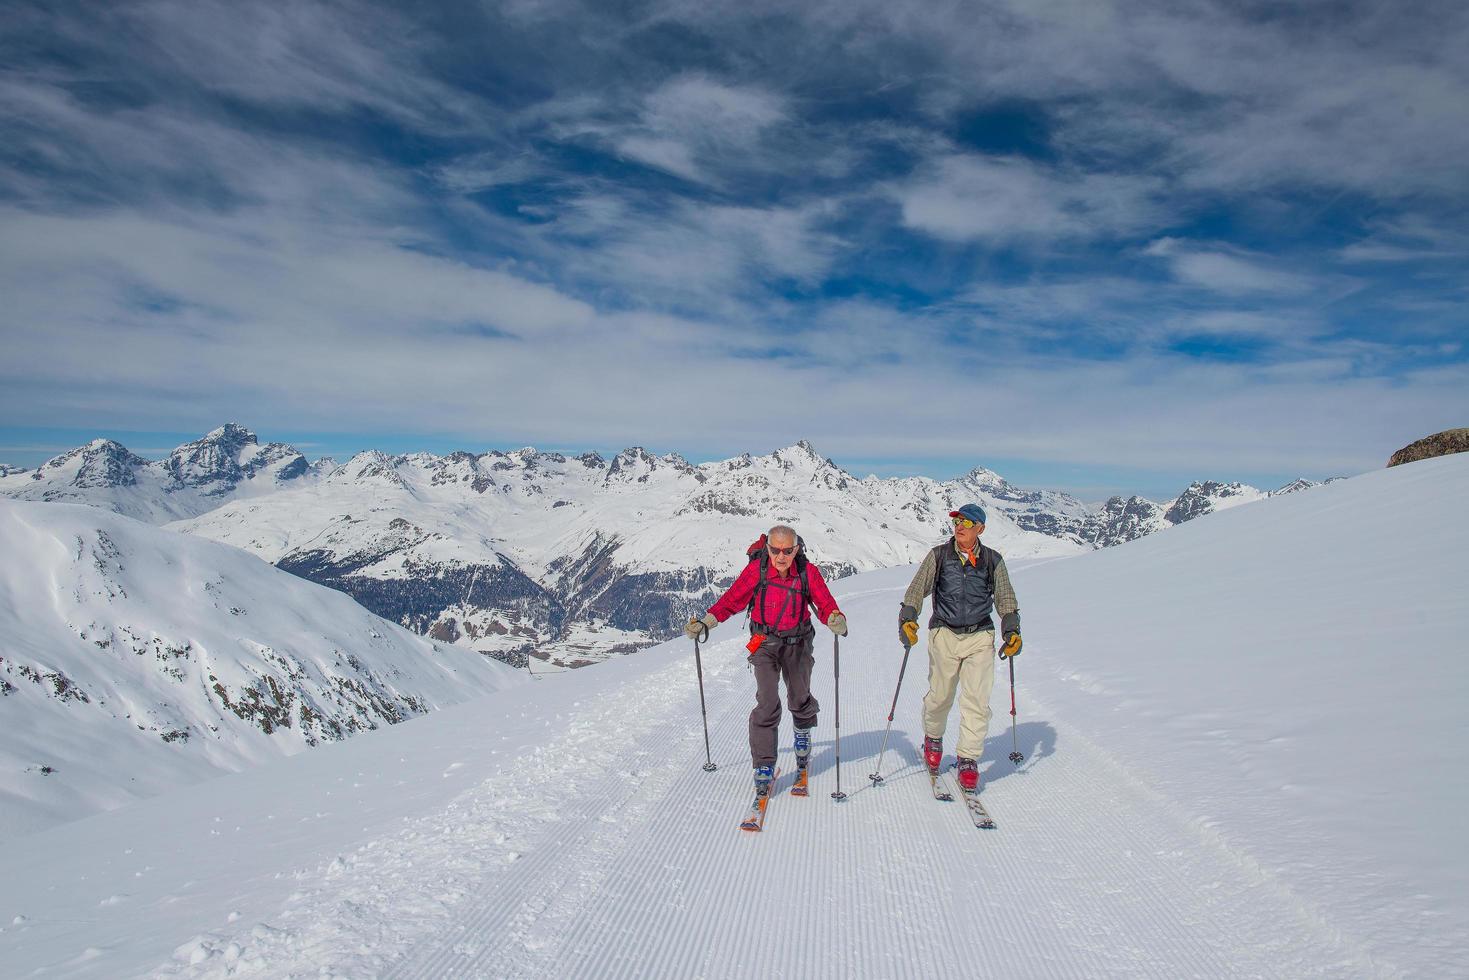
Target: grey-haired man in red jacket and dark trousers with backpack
pixel 778 590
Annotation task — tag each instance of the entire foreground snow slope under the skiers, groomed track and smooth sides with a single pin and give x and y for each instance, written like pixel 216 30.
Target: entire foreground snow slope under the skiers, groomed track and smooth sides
pixel 1245 747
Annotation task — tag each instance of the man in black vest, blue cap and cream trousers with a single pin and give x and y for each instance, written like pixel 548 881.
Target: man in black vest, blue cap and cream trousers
pixel 967 583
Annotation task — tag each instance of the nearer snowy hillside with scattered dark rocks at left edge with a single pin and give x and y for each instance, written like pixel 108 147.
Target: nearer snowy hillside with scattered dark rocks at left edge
pixel 134 660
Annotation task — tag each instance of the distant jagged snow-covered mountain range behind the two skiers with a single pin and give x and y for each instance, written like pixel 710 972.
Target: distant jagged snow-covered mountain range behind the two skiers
pixel 568 559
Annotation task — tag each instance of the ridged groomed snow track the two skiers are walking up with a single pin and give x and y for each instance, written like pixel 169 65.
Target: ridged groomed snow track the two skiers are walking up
pixel 610 853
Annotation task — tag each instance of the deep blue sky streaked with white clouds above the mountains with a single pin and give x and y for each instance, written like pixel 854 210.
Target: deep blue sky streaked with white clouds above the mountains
pixel 1104 248
